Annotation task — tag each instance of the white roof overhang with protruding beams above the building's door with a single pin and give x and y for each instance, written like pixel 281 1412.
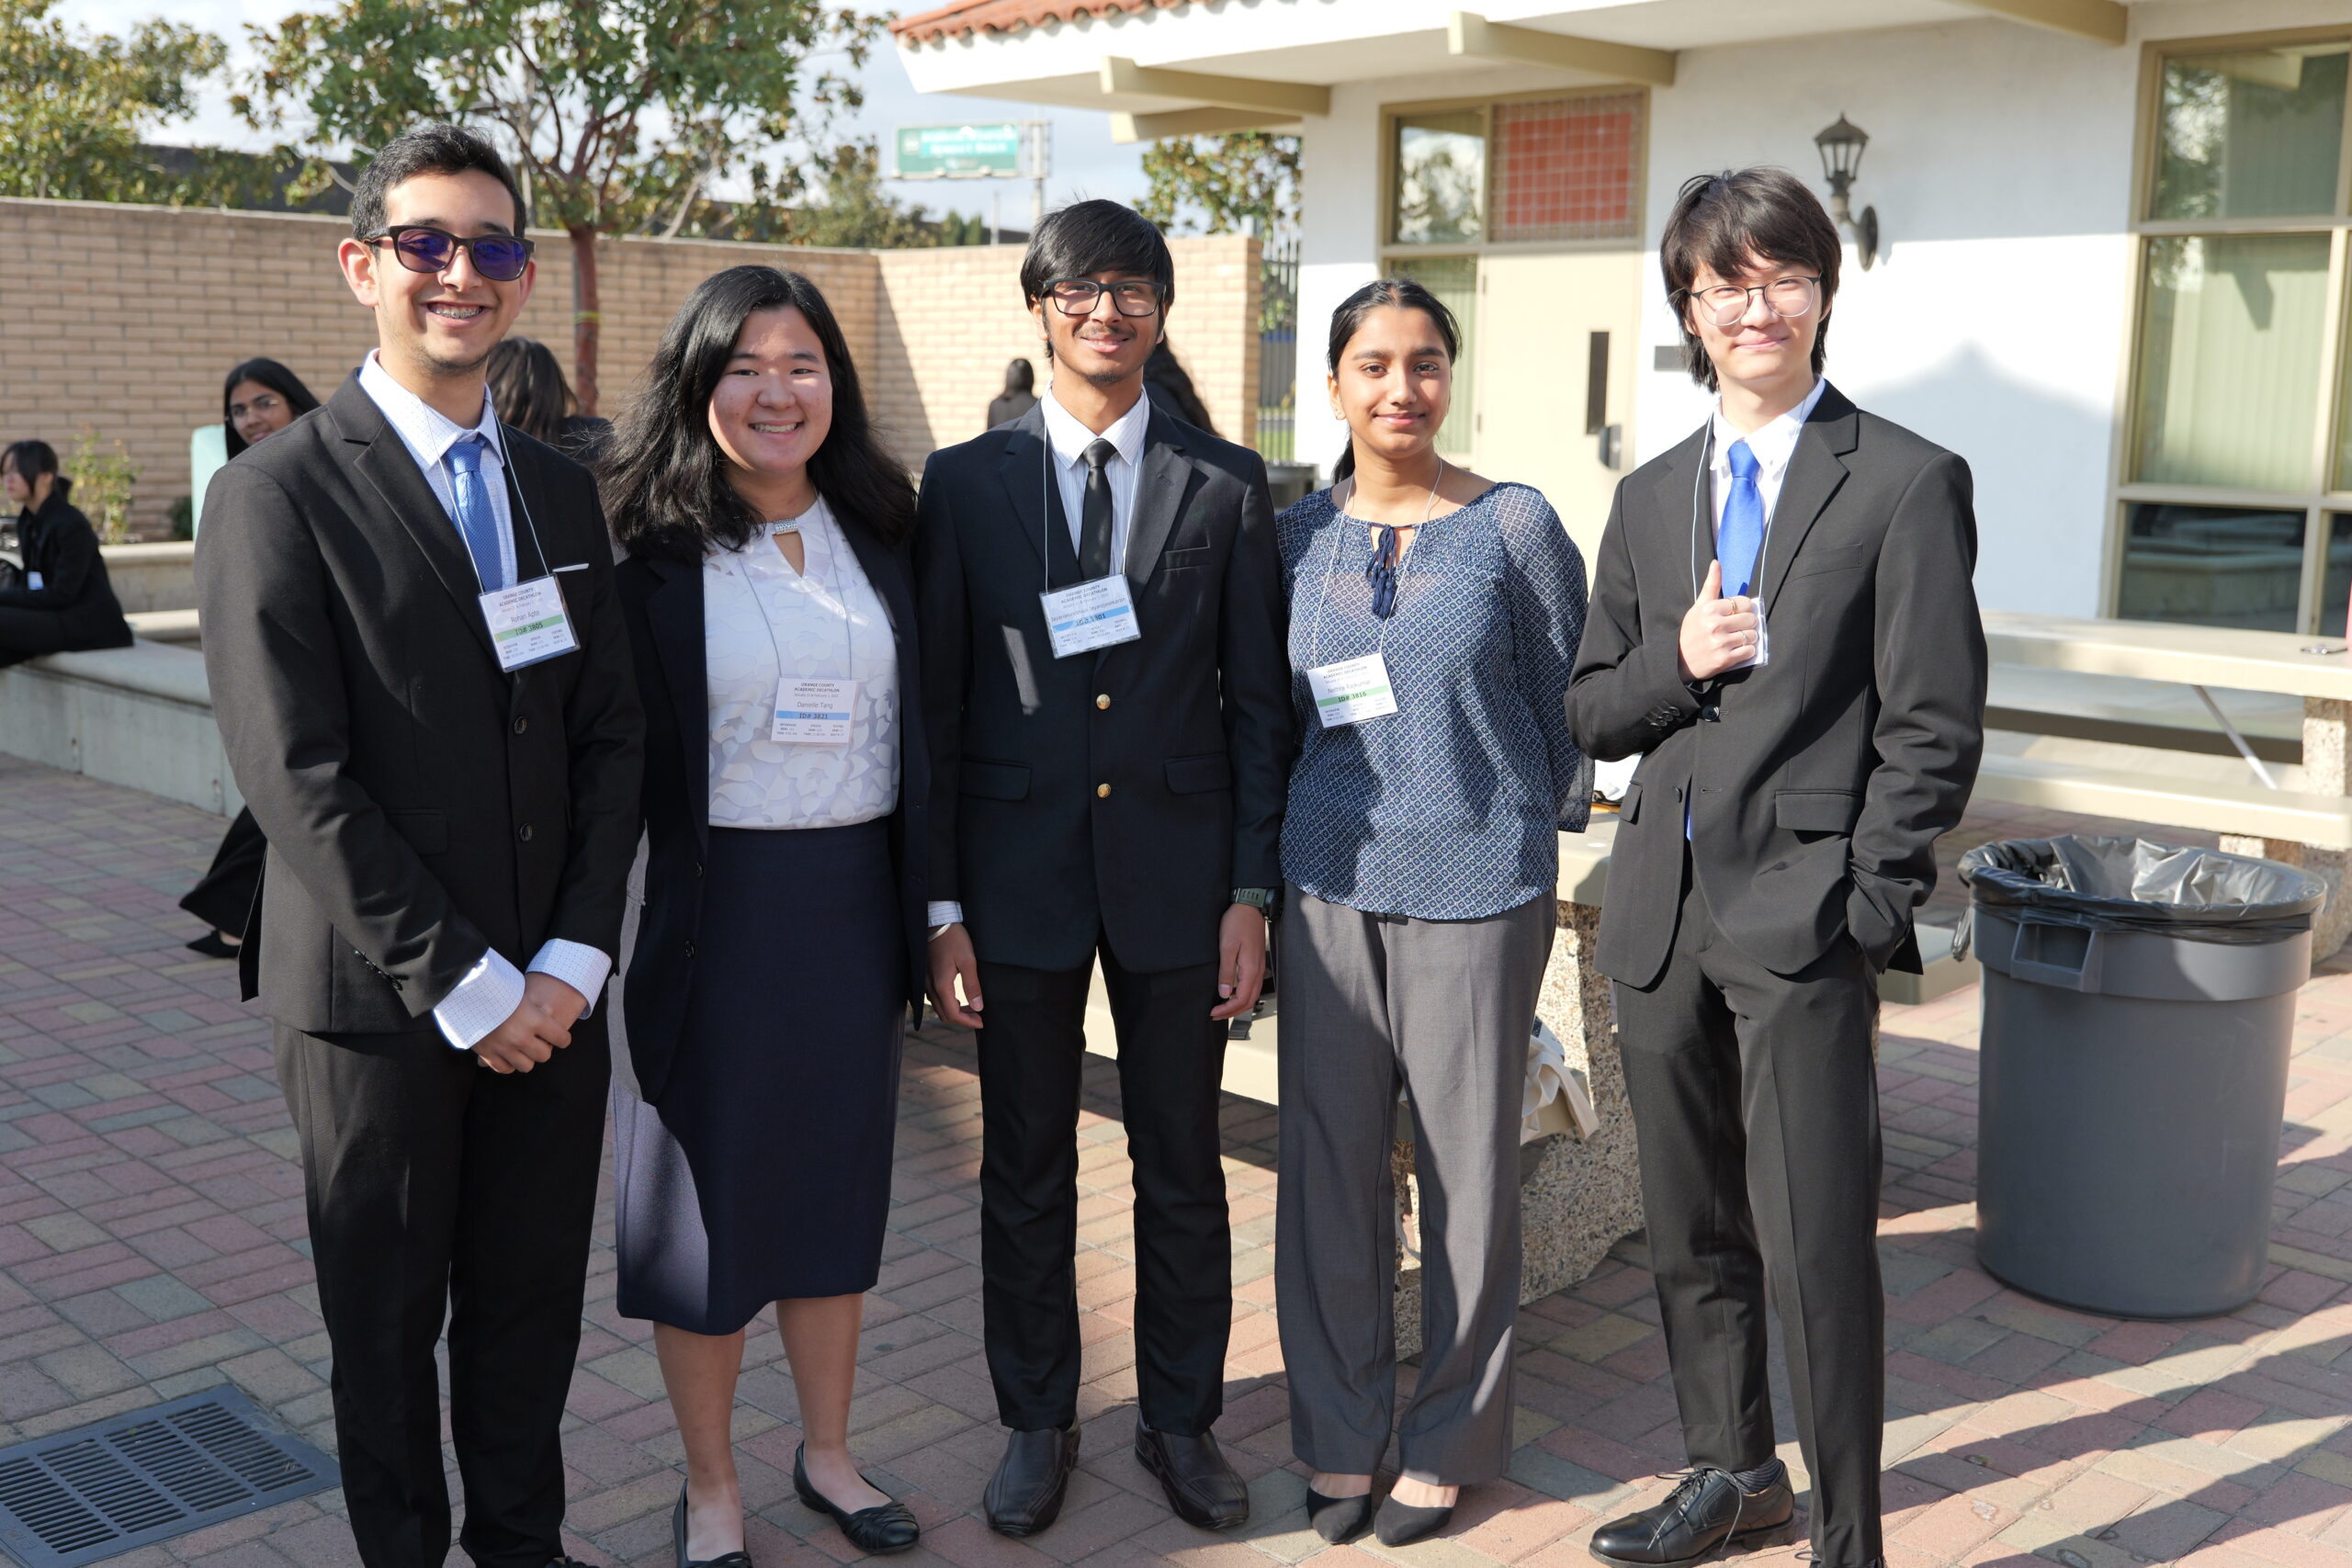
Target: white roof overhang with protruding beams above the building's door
pixel 1175 67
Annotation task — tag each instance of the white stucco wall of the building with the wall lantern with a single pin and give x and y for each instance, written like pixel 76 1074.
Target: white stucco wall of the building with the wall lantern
pixel 2000 166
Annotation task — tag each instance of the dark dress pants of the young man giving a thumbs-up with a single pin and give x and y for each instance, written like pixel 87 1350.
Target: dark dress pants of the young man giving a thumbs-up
pixel 1758 1111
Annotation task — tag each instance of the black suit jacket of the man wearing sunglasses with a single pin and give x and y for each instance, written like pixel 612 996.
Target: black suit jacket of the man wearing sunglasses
pixel 420 803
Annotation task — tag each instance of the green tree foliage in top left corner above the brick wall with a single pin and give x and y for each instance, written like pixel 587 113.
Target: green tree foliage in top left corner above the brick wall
pixel 74 102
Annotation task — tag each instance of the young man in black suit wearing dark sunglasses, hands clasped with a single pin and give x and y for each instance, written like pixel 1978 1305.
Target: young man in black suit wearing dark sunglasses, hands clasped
pixel 427 697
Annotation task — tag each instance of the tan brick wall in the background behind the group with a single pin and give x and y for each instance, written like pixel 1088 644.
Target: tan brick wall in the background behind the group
pixel 123 321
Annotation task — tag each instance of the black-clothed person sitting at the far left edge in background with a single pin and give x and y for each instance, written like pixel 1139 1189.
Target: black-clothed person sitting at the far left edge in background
pixel 60 598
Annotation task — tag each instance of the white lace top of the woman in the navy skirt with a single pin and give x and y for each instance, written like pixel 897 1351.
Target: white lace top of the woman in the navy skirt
pixel 824 624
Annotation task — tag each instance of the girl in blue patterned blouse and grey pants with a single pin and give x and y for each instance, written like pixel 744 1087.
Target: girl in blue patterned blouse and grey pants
pixel 1434 626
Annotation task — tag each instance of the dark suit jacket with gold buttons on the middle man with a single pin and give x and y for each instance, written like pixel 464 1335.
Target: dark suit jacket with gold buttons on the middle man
pixel 1189 725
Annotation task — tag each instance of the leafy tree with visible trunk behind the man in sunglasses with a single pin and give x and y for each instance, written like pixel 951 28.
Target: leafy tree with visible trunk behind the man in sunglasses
pixel 620 114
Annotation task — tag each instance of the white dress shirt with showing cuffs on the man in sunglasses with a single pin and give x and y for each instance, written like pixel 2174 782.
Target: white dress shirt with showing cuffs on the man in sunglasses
pixel 493 989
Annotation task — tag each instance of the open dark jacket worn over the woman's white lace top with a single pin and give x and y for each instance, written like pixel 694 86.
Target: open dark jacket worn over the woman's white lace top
pixel 662 601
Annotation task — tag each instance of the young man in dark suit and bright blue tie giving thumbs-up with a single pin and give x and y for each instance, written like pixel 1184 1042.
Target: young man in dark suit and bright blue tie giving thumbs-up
pixel 1786 631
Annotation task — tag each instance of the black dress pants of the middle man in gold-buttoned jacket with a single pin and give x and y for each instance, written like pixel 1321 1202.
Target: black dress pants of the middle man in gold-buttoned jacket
pixel 1172 1057
